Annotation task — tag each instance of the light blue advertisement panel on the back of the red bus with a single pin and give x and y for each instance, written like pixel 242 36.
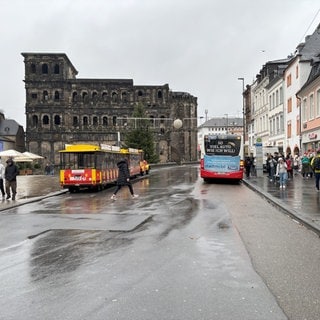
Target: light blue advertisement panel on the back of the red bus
pixel 221 163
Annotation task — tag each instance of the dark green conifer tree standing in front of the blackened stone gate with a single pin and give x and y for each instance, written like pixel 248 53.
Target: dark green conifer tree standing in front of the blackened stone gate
pixel 139 136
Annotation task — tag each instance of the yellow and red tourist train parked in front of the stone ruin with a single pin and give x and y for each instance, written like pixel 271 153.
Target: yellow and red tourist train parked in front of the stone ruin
pixel 84 166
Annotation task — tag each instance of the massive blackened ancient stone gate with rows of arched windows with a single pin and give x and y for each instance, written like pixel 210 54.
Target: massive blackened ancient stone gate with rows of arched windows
pixel 61 109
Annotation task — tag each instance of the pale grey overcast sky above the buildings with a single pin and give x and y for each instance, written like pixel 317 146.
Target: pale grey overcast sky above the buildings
pixel 197 46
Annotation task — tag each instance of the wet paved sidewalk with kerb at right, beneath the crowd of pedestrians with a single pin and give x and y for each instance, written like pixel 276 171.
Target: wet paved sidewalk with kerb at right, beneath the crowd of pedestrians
pixel 300 199
